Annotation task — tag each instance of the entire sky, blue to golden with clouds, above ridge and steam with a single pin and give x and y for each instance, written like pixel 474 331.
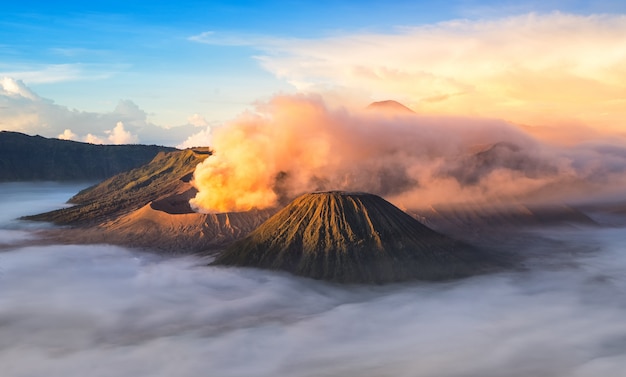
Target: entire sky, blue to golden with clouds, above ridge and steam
pixel 162 72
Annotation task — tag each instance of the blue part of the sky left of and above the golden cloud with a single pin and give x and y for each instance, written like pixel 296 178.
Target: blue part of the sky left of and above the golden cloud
pixel 90 55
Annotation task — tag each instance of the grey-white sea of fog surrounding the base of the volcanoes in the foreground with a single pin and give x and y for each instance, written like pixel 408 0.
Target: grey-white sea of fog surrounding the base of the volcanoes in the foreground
pixel 101 310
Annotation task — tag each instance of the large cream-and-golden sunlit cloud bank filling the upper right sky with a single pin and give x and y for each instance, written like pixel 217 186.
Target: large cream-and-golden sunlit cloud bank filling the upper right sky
pixel 549 70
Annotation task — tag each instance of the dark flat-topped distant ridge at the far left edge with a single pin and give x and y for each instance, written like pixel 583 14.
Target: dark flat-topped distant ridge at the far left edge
pixel 36 158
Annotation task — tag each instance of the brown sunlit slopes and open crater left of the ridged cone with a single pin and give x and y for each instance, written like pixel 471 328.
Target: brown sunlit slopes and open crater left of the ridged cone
pixel 148 207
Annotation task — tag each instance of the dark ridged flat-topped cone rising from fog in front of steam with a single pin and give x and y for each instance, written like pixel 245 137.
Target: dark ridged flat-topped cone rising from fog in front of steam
pixel 354 238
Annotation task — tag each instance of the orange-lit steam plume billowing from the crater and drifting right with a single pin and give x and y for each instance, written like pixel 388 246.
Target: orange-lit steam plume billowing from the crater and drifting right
pixel 297 144
